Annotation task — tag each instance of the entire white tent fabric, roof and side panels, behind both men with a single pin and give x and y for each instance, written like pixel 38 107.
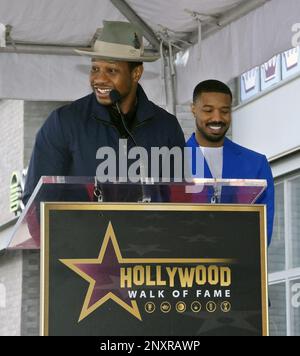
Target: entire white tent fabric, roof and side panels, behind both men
pixel 247 42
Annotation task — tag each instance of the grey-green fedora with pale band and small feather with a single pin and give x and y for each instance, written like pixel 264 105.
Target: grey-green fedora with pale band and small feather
pixel 121 41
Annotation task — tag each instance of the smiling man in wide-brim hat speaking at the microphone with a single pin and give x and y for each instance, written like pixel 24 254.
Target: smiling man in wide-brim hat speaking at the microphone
pixel 67 143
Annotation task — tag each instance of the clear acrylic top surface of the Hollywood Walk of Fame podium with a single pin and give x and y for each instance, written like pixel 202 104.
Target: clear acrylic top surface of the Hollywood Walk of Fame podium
pixel 26 233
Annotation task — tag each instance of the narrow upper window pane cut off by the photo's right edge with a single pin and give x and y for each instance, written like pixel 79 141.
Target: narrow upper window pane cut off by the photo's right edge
pixel 294 222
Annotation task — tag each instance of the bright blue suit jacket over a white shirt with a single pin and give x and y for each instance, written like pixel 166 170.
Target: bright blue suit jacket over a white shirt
pixel 242 163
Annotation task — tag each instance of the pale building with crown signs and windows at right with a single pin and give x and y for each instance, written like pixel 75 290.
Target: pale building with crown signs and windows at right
pixel 267 120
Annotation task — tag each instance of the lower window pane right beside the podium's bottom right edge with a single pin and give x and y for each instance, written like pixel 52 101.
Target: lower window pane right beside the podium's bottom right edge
pixel 277 310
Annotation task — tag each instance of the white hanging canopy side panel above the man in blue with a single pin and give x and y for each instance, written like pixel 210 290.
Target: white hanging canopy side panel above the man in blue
pixel 240 46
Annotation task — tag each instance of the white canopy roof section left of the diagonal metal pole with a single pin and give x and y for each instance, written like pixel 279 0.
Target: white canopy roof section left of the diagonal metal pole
pixel 56 21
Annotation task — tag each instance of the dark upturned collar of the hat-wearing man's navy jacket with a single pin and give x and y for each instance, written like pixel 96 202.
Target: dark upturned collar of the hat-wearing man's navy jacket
pixel 145 109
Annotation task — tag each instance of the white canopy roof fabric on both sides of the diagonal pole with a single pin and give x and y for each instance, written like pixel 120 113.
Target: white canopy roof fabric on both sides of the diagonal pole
pixel 75 21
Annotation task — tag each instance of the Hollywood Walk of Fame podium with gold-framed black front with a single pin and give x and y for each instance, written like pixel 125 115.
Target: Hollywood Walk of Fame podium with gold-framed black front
pixel 148 259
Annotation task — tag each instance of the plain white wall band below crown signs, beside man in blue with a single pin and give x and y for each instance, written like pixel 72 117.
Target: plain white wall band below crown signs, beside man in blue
pixel 271 123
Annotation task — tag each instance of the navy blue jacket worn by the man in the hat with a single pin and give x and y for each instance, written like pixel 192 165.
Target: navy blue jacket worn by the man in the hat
pixel 67 143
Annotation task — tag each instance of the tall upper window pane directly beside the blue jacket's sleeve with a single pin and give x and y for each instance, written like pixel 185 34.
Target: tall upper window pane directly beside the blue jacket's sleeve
pixel 277 247
